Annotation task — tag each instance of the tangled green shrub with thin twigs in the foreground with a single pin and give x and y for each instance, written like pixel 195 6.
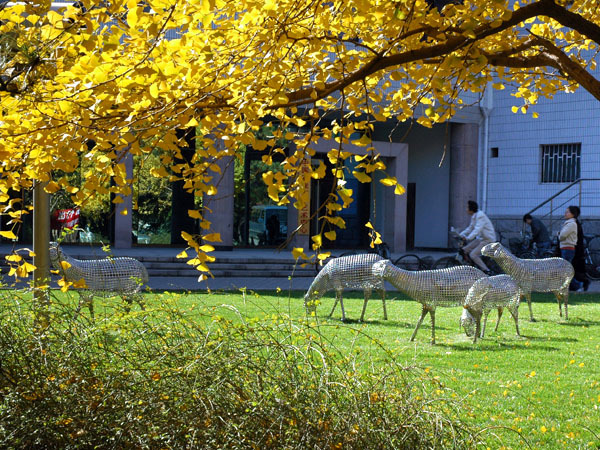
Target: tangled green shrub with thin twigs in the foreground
pixel 171 378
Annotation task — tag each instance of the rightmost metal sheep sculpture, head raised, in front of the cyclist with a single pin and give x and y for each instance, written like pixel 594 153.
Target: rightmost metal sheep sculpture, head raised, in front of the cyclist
pixel 535 275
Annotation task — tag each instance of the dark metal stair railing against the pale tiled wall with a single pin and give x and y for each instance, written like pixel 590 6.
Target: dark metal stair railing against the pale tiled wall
pixel 573 194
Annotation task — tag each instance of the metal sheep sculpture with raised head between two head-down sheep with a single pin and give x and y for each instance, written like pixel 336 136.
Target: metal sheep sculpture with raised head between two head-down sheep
pixel 431 288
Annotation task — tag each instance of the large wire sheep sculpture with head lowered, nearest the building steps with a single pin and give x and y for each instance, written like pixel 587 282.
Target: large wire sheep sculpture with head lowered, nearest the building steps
pixel 347 272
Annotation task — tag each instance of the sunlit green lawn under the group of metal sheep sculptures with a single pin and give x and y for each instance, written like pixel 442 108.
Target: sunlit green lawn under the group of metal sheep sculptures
pixel 544 384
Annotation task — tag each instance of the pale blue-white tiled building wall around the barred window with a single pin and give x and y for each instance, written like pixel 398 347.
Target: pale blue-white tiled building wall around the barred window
pixel 514 178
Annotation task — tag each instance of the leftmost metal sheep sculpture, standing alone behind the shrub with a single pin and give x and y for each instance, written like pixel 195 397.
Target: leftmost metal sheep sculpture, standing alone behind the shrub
pixel 102 277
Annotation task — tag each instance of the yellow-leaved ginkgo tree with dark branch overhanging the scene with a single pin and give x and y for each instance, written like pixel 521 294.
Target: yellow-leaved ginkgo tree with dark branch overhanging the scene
pixel 127 74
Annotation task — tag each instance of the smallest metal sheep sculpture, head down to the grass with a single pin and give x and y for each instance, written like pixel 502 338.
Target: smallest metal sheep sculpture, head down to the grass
pixel 486 294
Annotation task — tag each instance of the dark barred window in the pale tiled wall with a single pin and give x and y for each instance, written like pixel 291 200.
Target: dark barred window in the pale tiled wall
pixel 561 163
